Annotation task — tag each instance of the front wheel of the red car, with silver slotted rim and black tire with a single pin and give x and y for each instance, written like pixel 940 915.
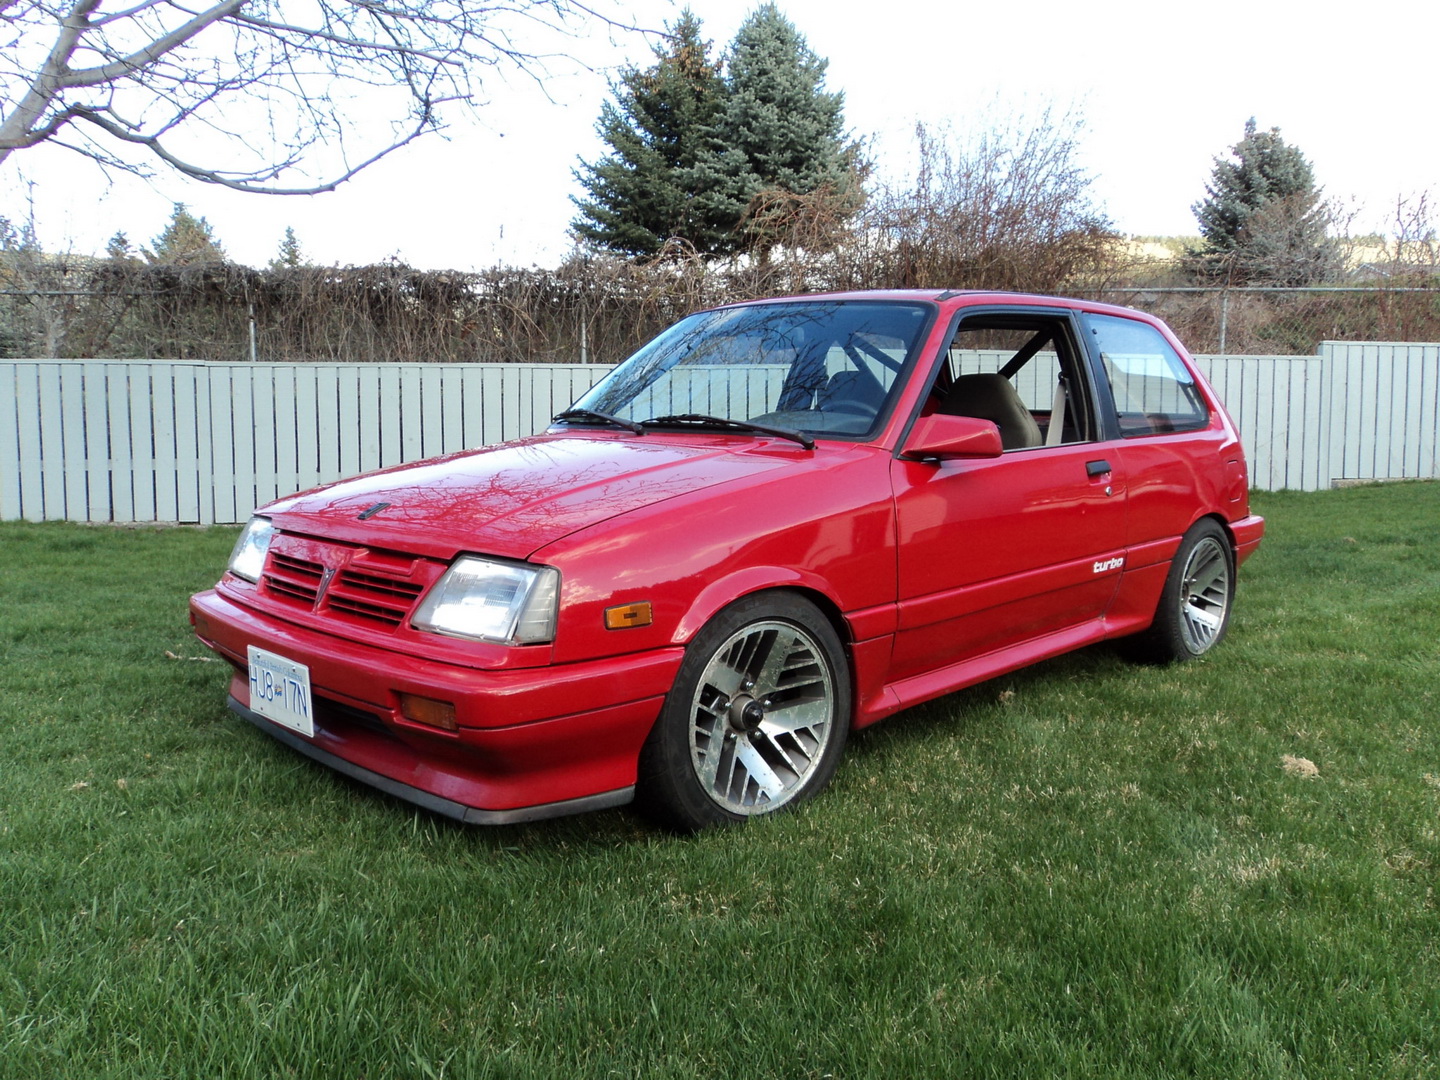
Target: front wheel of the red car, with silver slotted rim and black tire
pixel 757 719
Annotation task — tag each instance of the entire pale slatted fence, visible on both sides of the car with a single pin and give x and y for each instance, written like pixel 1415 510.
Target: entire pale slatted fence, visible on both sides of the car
pixel 207 443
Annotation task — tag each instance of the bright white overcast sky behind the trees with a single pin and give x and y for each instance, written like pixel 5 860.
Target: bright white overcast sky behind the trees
pixel 1163 90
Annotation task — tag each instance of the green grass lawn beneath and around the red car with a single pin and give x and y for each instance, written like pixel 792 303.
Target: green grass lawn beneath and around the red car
pixel 1089 869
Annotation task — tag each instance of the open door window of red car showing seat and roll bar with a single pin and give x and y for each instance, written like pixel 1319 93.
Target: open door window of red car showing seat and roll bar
pixel 1022 374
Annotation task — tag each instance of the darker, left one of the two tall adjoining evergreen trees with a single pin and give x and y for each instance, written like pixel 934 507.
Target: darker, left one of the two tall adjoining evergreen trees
pixel 643 194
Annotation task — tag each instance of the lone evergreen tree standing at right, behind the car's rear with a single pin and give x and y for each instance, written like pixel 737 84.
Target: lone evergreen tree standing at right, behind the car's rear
pixel 1262 218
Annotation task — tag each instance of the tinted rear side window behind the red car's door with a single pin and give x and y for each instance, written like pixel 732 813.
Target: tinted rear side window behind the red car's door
pixel 1153 390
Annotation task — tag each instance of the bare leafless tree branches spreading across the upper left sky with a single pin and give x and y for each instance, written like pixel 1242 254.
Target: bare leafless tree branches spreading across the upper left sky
pixel 260 96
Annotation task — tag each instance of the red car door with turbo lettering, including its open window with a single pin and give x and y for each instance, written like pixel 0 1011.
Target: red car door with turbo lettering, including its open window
pixel 999 552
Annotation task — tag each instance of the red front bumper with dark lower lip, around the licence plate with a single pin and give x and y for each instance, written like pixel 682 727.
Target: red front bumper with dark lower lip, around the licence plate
pixel 532 742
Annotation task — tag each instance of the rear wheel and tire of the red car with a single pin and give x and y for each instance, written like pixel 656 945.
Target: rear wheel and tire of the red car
pixel 1200 594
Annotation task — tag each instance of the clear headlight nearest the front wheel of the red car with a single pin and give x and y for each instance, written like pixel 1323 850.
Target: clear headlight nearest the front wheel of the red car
pixel 492 601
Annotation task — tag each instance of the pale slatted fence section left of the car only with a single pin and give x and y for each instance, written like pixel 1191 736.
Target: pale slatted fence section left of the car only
pixel 207 443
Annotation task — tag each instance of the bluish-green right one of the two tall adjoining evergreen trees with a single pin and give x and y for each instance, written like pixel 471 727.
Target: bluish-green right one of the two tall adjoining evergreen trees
pixel 781 138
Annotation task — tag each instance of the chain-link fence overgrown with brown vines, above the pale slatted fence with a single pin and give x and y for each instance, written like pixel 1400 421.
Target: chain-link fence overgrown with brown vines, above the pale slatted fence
pixel 587 313
